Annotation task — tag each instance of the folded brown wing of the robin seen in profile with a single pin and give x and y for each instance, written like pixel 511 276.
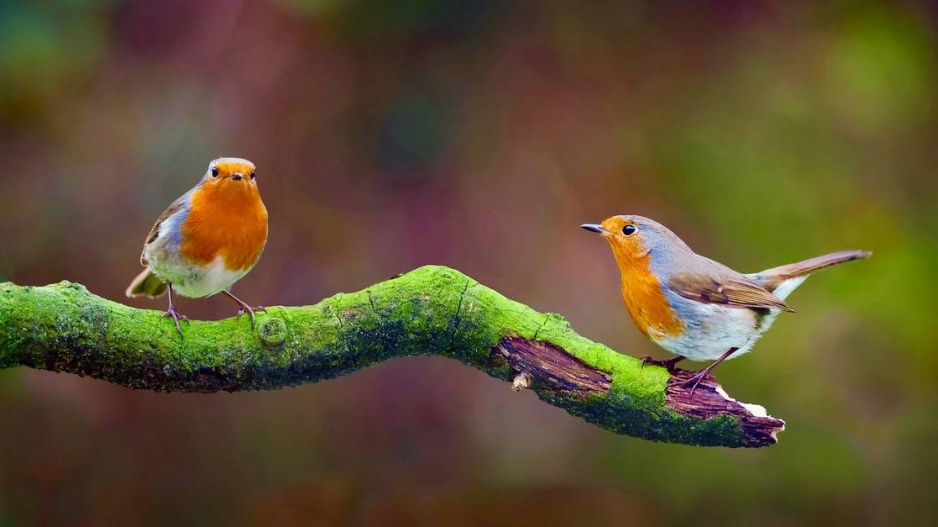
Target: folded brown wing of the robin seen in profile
pixel 729 291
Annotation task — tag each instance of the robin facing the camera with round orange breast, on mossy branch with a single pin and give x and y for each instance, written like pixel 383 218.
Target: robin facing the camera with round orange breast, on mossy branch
pixel 206 240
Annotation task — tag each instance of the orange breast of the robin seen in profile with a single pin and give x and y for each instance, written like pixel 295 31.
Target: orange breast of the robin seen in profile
pixel 645 301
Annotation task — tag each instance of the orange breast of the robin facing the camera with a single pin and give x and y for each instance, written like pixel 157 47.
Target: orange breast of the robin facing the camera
pixel 226 219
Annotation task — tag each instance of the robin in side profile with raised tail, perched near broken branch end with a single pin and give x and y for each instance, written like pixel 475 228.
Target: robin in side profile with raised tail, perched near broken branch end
pixel 692 306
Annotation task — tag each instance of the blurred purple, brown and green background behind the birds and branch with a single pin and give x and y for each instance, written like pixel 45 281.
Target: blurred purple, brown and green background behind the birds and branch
pixel 480 135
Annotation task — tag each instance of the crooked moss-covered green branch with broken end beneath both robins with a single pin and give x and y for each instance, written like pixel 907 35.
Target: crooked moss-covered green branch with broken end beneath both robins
pixel 430 311
